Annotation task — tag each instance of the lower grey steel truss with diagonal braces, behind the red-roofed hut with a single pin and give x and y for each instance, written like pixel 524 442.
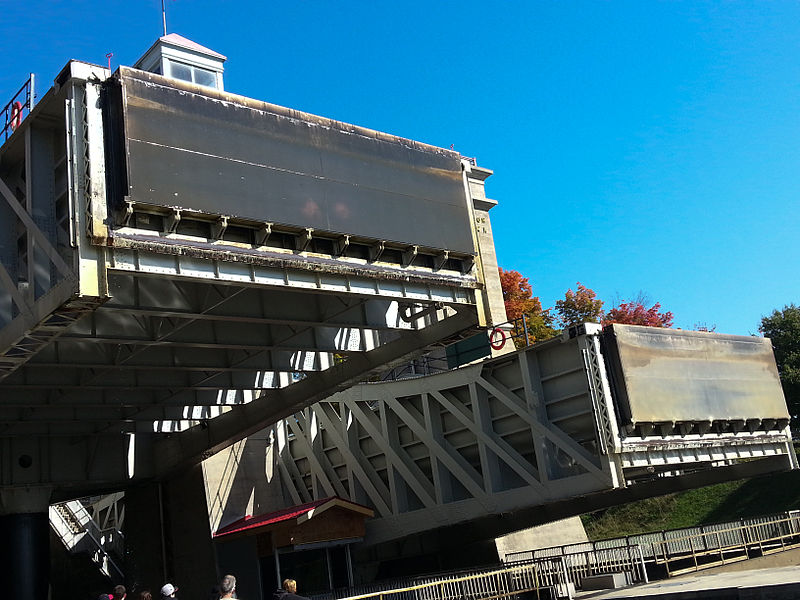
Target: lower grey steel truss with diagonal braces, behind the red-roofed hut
pixel 523 430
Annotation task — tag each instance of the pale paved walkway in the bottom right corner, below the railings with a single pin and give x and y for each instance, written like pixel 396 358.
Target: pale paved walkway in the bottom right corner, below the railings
pixel 775 584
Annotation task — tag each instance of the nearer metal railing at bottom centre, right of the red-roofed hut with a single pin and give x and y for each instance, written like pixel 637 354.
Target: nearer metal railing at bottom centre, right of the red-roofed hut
pixel 559 574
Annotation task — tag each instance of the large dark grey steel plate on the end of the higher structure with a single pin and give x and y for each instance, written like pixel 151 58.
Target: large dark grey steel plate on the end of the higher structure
pixel 206 150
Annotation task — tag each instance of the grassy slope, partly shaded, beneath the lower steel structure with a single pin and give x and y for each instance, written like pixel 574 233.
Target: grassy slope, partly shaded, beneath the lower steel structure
pixel 722 502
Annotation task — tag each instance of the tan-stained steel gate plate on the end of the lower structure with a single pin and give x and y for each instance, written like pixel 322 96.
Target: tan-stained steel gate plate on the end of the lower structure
pixel 667 375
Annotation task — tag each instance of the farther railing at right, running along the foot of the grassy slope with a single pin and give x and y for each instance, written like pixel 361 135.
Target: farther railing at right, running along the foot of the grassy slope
pixel 695 548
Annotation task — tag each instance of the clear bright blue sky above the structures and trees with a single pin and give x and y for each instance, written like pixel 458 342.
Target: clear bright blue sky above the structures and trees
pixel 636 145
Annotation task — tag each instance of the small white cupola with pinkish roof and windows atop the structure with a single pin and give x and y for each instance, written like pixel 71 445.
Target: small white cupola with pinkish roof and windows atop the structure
pixel 175 56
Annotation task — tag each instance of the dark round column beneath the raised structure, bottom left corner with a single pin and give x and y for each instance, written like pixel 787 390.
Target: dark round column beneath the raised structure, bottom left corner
pixel 25 541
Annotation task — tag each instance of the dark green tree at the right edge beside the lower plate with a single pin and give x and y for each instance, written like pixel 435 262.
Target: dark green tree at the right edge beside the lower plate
pixel 783 328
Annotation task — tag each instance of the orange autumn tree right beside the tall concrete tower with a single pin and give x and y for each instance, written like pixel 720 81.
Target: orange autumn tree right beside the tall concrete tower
pixel 520 301
